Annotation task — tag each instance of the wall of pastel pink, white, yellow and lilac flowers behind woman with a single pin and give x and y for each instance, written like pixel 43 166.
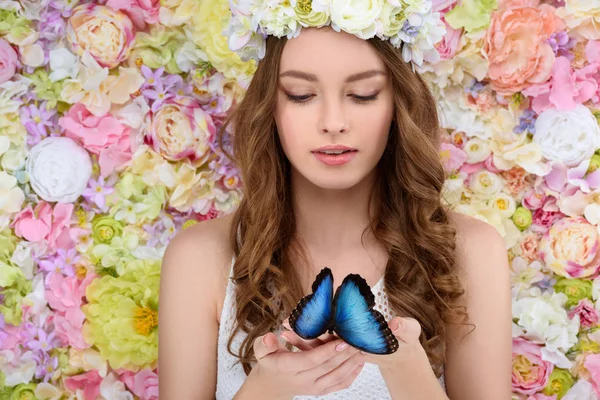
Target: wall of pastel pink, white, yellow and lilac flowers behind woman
pixel 108 116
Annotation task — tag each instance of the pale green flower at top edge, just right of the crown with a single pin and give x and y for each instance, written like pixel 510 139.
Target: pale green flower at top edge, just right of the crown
pixel 471 14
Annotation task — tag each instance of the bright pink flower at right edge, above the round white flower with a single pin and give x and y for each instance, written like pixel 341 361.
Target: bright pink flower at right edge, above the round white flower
pixel 566 89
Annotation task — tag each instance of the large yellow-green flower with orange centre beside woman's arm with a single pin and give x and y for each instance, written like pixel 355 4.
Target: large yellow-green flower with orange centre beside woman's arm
pixel 122 316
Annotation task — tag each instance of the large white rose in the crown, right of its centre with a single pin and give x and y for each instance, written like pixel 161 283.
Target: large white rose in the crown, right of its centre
pixel 358 17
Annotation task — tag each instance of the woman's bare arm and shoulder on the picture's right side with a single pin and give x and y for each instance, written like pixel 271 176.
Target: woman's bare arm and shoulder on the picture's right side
pixel 478 365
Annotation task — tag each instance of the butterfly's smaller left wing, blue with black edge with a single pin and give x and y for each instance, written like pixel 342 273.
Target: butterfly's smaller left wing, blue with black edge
pixel 312 315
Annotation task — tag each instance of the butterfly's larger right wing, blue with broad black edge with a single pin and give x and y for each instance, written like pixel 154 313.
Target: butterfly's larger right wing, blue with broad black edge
pixel 356 322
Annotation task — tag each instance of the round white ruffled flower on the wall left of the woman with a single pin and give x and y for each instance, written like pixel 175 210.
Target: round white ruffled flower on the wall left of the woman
pixel 58 169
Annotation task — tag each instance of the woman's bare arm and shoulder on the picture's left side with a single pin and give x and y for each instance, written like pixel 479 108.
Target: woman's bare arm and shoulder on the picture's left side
pixel 193 279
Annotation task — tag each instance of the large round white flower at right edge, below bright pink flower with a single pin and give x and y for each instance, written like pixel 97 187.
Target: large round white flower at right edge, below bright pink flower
pixel 567 136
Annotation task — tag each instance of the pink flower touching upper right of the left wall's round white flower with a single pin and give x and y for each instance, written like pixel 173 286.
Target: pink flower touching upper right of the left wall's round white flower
pixel 104 136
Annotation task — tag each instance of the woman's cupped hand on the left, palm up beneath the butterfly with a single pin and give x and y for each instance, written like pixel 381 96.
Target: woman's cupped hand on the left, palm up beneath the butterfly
pixel 282 374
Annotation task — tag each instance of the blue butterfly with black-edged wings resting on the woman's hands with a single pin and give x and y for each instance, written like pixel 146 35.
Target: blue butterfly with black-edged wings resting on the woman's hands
pixel 349 313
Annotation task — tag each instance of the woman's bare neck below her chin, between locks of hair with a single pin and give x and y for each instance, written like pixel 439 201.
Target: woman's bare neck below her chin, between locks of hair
pixel 329 221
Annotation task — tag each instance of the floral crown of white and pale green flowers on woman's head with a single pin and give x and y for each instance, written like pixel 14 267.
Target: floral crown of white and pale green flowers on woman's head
pixel 409 24
